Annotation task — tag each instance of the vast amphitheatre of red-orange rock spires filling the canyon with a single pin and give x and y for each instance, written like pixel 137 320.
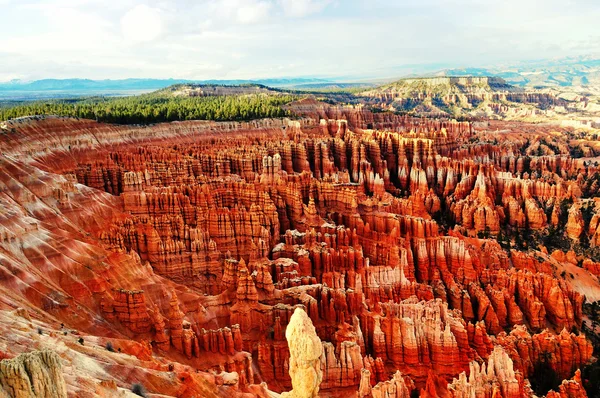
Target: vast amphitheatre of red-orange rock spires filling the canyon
pixel 343 253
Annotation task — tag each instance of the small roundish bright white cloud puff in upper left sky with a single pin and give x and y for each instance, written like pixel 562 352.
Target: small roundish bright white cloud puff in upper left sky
pixel 142 24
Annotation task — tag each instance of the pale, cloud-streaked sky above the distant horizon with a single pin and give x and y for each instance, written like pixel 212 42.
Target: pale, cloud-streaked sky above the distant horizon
pixel 252 39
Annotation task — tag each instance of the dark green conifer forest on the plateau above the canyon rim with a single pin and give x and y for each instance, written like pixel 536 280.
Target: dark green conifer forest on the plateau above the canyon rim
pixel 156 108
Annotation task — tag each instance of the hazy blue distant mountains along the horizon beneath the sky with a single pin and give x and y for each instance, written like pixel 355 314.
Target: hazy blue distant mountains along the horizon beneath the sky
pixel 564 72
